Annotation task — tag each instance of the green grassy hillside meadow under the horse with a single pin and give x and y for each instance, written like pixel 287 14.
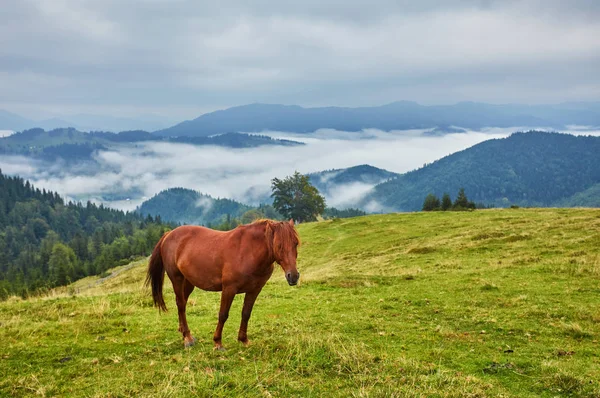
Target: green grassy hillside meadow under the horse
pixel 481 304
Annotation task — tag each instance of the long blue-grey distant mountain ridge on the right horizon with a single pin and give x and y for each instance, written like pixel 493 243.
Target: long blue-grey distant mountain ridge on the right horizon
pixel 400 115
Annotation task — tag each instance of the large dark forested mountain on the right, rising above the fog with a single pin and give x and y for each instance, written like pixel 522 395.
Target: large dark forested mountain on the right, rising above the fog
pixel 526 169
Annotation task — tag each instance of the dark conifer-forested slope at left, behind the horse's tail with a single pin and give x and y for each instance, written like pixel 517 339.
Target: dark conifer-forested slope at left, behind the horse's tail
pixel 45 242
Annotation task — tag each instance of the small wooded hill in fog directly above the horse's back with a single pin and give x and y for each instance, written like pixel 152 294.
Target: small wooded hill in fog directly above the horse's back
pixel 186 206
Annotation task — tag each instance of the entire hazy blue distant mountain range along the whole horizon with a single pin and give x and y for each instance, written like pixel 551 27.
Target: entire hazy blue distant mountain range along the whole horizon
pixel 400 115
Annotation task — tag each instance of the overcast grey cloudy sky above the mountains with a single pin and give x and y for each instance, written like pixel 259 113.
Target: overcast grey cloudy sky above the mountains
pixel 181 58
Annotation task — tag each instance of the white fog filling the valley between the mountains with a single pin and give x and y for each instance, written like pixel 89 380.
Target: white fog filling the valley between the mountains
pixel 125 177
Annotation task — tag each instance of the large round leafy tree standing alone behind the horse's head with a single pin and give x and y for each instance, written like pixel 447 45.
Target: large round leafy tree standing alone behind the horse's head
pixel 296 198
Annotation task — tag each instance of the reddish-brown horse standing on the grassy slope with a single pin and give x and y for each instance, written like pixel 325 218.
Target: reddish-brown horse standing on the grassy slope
pixel 237 261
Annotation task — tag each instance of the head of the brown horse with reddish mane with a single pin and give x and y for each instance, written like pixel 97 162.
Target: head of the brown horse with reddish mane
pixel 283 243
